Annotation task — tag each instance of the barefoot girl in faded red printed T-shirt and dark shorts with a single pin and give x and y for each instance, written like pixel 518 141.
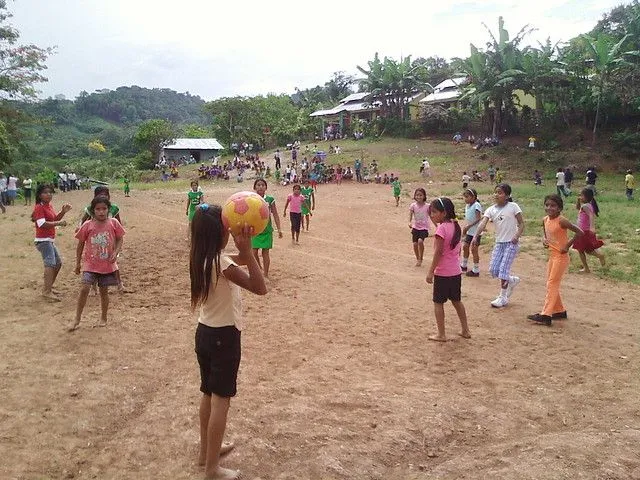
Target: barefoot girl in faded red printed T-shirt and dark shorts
pixel 103 237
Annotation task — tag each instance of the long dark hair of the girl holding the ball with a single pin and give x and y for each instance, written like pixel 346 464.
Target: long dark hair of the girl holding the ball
pixel 207 235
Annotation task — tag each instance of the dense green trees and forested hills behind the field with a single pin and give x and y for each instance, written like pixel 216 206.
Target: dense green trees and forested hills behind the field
pixel 590 85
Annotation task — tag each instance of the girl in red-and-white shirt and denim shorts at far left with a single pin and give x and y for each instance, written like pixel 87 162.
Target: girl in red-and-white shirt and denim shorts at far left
pixel 46 221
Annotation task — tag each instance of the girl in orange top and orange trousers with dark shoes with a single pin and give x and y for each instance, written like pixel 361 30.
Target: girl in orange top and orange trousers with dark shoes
pixel 554 228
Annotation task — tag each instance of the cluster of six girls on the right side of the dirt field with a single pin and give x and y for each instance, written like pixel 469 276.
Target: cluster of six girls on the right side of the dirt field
pixel 445 271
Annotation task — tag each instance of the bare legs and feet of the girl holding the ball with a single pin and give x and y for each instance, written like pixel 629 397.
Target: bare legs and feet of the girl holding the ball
pixel 213 422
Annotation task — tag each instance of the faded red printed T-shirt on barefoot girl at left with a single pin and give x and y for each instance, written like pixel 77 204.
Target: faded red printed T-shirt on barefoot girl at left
pixel 99 243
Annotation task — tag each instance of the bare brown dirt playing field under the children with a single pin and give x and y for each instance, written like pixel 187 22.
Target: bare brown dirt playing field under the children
pixel 337 380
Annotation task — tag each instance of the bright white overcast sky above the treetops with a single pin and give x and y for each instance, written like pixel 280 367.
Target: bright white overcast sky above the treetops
pixel 247 47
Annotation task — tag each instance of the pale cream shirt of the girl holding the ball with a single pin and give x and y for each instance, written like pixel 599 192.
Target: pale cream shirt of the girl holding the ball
pixel 224 304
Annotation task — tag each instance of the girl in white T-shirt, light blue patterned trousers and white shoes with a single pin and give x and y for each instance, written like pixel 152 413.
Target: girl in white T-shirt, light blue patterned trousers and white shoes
pixel 506 215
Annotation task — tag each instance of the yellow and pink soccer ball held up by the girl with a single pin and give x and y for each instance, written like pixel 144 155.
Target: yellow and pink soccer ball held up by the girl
pixel 245 207
